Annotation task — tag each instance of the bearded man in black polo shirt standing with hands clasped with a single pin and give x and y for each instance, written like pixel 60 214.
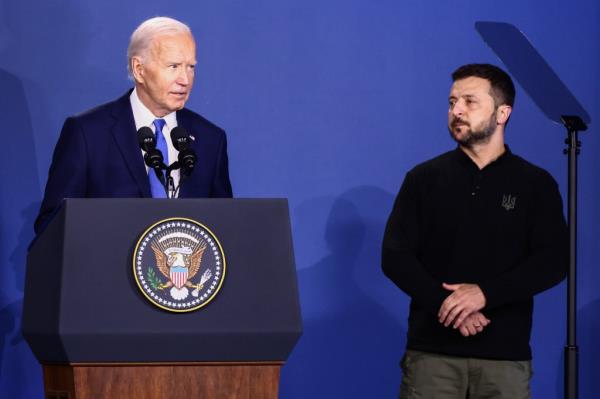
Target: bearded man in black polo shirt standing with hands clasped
pixel 474 234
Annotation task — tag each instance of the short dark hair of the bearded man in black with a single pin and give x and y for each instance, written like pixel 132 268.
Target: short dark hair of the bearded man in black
pixel 503 88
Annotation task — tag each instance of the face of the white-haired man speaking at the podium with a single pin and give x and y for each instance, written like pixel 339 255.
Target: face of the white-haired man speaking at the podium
pixel 164 79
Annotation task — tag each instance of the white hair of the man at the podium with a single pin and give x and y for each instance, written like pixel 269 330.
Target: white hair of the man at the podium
pixel 142 37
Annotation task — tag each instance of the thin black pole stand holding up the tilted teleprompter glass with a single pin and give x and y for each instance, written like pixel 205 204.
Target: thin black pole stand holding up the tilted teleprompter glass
pixel 573 124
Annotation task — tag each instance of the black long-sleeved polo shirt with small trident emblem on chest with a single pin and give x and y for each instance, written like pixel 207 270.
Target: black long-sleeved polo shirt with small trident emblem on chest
pixel 501 227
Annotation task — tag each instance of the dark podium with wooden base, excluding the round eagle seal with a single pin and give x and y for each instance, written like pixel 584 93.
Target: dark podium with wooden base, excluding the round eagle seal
pixel 97 336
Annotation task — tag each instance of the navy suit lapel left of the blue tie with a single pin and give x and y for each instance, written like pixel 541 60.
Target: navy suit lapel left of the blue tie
pixel 124 133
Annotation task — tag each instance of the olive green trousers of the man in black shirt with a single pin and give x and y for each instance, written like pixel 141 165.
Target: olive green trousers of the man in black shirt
pixel 433 376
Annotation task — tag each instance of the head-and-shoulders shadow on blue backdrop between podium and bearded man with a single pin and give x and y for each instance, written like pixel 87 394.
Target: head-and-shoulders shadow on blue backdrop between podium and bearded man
pixel 350 347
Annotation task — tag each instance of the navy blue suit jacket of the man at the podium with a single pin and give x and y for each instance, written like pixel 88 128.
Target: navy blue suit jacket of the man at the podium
pixel 98 156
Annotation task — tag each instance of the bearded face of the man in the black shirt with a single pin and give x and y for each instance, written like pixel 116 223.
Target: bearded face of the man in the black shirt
pixel 471 113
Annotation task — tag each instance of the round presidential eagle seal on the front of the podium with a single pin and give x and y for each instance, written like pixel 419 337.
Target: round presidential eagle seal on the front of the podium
pixel 179 265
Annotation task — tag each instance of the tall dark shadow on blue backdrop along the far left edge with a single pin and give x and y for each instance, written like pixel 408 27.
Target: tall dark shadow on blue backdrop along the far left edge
pixel 20 375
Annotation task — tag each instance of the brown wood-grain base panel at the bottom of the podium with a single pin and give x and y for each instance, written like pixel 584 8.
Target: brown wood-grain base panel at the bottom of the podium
pixel 164 381
